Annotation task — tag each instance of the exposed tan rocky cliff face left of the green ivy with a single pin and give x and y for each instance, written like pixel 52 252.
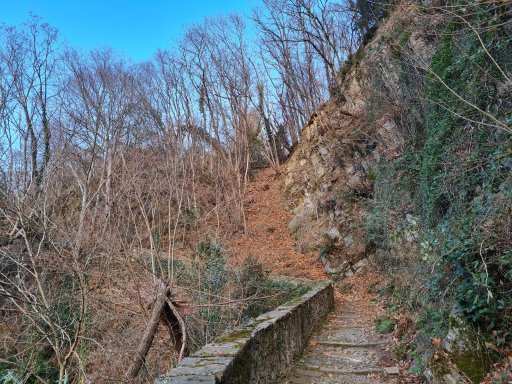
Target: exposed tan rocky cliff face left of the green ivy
pixel 329 178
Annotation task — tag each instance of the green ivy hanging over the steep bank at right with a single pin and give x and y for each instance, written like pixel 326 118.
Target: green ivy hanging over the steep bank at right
pixel 458 181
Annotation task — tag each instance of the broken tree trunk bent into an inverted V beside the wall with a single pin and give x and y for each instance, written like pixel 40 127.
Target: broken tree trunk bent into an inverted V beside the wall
pixel 163 308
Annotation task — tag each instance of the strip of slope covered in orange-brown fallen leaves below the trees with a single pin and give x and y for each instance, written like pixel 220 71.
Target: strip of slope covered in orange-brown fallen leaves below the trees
pixel 268 238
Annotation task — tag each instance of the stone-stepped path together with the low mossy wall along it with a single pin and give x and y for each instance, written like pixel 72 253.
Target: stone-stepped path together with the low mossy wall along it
pixel 301 342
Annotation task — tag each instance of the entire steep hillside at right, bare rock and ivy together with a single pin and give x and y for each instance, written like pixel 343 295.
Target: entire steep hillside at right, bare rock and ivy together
pixel 409 170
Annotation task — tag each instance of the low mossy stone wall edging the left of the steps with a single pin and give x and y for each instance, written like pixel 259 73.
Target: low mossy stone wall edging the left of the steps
pixel 261 351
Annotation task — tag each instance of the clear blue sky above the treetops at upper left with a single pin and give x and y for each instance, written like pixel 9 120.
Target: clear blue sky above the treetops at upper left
pixel 133 28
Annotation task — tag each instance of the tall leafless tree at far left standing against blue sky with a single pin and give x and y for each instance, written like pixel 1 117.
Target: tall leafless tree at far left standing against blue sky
pixel 29 62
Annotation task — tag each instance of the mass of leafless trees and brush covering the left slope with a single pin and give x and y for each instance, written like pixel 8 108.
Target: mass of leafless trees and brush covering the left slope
pixel 102 161
